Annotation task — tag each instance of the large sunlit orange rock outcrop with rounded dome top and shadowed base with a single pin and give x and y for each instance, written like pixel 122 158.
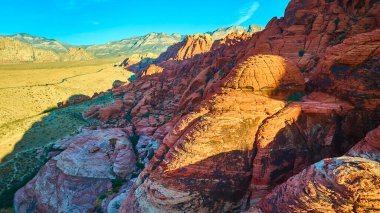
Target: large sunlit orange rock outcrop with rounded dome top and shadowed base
pixel 222 129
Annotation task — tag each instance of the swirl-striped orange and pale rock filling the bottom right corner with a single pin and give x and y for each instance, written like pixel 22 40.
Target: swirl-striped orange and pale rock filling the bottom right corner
pixel 342 184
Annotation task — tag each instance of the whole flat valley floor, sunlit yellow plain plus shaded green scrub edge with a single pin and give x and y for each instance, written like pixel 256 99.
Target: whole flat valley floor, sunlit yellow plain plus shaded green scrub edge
pixel 28 122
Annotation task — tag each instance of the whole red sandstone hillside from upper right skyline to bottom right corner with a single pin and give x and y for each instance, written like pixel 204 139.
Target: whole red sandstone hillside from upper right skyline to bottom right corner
pixel 258 122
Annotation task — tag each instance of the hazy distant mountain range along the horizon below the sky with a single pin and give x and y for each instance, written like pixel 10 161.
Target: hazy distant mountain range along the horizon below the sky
pixel 22 47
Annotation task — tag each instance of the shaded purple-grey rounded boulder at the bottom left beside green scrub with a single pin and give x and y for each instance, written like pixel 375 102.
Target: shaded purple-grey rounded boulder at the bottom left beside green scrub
pixel 72 180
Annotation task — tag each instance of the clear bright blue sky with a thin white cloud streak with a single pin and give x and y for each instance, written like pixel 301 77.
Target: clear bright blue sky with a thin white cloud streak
pixel 100 21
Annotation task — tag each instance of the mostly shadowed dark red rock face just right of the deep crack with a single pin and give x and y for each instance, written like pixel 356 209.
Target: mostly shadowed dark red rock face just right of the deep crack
pixel 301 134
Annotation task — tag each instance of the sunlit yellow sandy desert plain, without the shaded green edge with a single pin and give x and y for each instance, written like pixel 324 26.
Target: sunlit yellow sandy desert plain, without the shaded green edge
pixel 29 89
